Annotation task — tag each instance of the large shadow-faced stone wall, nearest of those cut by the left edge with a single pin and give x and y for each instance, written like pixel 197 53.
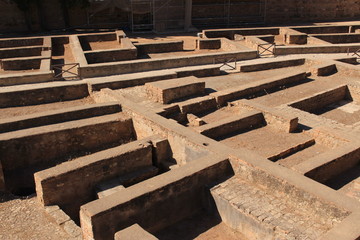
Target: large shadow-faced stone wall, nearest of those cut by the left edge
pixel 27 151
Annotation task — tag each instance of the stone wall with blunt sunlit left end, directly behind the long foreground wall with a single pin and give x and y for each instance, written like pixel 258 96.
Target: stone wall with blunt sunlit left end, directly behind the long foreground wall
pixel 73 183
